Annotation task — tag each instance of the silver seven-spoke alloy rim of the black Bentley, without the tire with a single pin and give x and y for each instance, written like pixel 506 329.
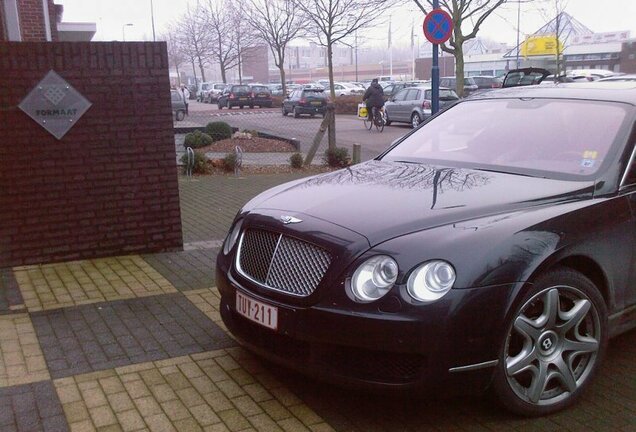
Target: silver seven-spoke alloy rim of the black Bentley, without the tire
pixel 553 345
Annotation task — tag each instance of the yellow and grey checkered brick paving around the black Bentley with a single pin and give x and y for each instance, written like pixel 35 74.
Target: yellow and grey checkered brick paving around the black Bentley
pixel 135 343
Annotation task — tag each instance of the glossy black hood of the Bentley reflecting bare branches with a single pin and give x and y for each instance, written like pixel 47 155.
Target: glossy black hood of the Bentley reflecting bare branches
pixel 382 200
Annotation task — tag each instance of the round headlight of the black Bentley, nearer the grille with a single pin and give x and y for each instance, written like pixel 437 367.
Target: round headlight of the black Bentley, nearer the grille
pixel 374 278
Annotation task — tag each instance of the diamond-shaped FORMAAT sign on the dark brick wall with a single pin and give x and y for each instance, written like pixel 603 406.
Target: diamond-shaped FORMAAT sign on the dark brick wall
pixel 55 105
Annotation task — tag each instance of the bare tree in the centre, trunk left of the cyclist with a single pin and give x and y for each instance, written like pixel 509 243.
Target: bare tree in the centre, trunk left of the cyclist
pixel 333 21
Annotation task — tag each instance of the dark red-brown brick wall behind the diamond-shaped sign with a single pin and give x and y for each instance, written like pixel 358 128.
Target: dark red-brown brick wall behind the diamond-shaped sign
pixel 109 186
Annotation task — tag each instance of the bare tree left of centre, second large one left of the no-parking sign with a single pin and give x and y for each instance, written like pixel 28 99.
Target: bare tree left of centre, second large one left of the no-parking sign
pixel 276 22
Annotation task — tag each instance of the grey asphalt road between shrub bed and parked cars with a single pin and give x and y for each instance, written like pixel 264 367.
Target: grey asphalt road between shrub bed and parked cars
pixel 349 129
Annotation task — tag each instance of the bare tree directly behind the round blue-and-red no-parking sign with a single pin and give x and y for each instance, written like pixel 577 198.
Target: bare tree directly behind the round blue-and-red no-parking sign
pixel 463 13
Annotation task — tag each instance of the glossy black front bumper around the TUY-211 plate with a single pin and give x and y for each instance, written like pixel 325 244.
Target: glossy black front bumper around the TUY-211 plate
pixel 390 345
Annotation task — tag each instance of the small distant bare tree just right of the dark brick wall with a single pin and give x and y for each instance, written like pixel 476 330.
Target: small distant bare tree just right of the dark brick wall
pixel 194 38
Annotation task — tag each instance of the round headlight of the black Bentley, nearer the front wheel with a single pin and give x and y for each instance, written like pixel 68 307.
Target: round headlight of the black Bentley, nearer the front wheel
pixel 431 281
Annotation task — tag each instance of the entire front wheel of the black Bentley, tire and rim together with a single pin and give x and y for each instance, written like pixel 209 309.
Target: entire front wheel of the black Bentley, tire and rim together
pixel 554 342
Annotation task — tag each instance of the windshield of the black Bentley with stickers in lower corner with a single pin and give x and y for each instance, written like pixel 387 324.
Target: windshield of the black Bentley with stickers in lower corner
pixel 561 138
